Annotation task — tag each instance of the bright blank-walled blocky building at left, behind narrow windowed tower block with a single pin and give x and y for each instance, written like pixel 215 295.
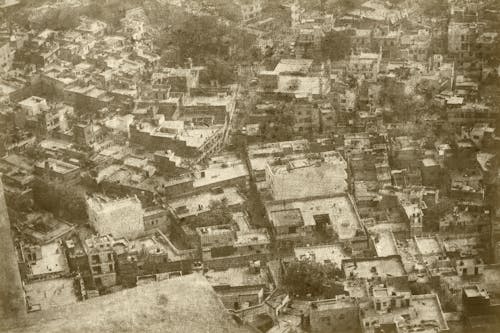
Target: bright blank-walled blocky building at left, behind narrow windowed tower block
pixel 117 217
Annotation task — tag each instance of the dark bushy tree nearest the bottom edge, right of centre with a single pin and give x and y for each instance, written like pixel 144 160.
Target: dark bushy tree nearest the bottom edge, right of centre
pixel 305 277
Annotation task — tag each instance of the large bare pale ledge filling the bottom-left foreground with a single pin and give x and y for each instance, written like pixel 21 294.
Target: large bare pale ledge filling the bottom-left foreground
pixel 182 304
